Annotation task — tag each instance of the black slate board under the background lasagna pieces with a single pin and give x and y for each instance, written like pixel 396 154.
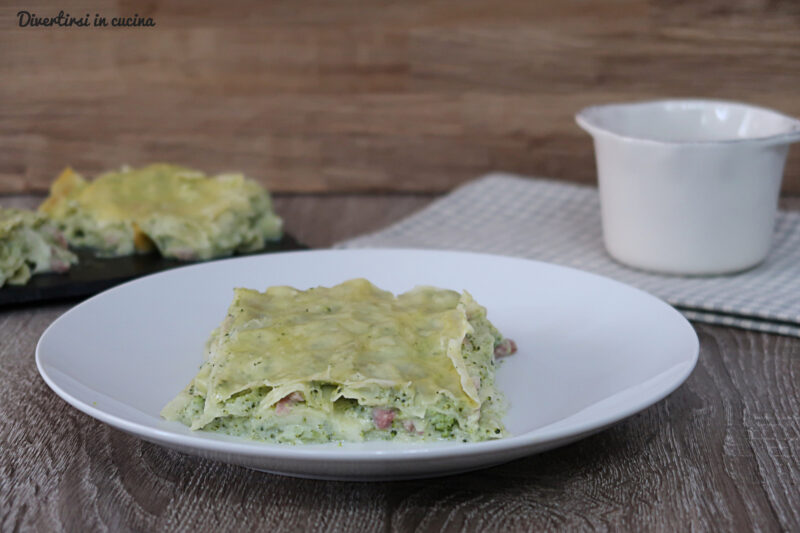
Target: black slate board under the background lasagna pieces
pixel 94 274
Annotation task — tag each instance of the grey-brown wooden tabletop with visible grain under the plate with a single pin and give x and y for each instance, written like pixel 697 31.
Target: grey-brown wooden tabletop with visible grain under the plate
pixel 720 453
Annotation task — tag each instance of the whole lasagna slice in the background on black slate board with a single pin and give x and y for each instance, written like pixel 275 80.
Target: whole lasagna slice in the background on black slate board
pixel 181 212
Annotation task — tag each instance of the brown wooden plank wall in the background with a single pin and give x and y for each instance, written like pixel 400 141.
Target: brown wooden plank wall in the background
pixel 366 95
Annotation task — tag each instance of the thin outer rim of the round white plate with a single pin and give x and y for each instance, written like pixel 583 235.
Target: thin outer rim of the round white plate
pixel 257 449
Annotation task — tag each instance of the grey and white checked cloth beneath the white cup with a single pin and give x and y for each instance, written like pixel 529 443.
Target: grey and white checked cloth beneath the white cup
pixel 560 223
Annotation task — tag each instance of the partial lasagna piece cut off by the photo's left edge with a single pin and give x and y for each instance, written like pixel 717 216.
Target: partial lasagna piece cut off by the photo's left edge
pixel 30 244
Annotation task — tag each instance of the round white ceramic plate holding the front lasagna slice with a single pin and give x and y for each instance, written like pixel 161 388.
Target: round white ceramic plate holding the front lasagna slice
pixel 592 351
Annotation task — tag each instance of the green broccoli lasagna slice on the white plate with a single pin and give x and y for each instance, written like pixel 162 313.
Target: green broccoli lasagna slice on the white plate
pixel 348 363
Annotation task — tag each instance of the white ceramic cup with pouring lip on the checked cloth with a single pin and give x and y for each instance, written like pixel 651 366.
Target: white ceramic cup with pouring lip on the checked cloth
pixel 689 186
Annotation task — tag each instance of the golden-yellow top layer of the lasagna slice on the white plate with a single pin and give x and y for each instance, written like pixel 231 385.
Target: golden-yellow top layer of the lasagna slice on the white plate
pixel 354 335
